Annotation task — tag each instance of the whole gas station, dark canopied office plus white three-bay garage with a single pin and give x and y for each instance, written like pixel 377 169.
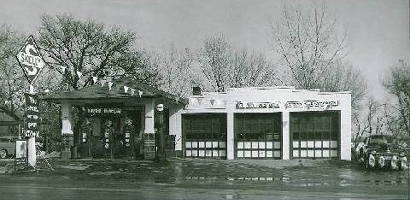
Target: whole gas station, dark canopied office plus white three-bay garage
pixel 241 123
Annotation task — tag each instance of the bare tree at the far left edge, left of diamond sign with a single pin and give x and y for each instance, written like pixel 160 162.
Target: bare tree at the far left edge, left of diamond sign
pixel 12 80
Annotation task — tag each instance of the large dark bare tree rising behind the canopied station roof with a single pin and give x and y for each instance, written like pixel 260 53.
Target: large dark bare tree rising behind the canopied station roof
pixel 76 49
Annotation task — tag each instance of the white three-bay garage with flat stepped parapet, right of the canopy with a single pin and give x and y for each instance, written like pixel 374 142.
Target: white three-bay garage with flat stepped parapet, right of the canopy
pixel 265 123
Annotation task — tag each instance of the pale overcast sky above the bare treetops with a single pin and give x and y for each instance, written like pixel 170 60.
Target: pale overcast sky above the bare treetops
pixel 378 30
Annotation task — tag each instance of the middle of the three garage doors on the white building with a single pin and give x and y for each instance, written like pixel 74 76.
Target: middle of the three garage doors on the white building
pixel 258 135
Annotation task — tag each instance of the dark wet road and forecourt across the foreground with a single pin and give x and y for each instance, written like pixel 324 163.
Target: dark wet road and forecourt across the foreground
pixel 203 179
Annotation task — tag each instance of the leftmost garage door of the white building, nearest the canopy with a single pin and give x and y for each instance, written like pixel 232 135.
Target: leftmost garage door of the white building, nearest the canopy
pixel 204 135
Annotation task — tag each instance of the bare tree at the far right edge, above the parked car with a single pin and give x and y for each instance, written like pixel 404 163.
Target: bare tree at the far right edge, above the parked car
pixel 397 83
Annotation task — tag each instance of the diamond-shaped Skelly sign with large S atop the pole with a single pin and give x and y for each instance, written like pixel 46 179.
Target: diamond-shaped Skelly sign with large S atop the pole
pixel 30 60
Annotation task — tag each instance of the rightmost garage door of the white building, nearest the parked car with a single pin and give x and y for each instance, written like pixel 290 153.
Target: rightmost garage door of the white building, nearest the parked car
pixel 315 134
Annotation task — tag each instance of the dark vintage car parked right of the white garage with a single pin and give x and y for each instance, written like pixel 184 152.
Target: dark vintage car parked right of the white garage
pixel 380 151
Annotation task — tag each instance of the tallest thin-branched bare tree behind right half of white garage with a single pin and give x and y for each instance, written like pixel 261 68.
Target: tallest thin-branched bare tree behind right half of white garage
pixel 310 47
